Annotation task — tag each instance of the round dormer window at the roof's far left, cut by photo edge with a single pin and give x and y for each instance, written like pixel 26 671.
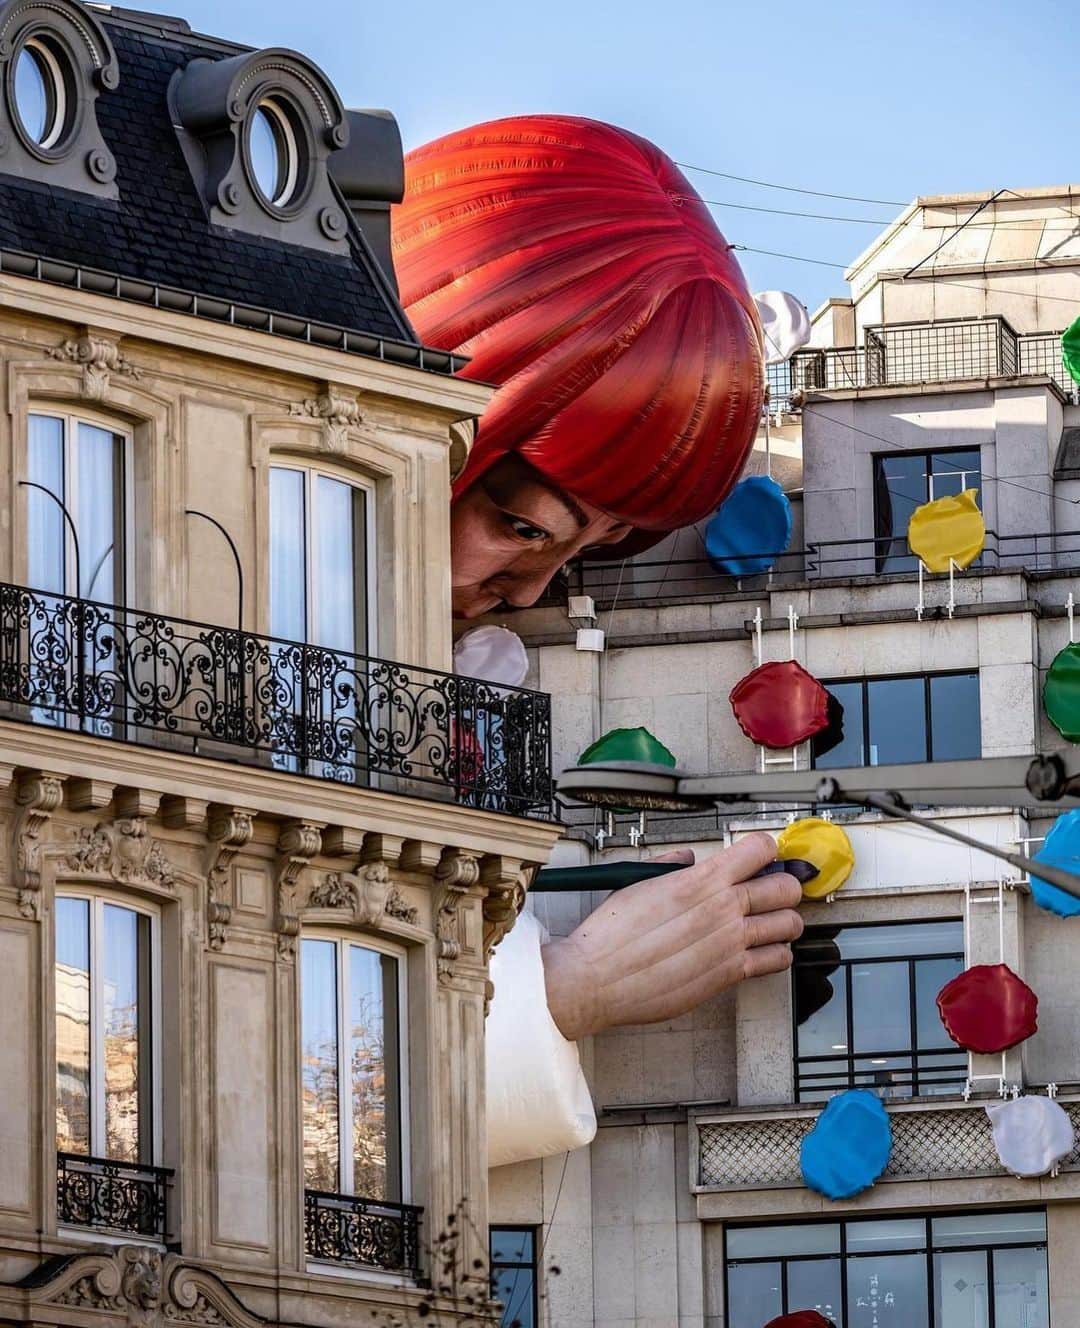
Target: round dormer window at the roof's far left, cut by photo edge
pixel 55 62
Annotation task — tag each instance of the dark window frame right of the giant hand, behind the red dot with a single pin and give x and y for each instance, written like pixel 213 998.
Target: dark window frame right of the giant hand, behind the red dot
pixel 851 1056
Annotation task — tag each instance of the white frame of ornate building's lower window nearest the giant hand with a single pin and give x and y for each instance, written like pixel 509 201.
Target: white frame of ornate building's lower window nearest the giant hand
pixel 345 1099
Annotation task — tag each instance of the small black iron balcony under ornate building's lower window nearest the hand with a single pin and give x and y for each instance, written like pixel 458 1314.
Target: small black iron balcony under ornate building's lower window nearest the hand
pixel 365 1233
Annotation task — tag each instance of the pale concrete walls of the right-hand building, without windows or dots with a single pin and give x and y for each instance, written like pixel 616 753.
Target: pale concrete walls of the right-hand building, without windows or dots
pixel 637 1224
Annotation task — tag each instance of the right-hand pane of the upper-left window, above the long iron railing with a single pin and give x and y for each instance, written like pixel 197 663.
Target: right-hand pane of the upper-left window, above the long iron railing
pixel 99 516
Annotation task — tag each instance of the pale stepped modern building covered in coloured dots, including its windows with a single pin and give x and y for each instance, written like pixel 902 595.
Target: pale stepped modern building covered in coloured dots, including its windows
pixel 940 373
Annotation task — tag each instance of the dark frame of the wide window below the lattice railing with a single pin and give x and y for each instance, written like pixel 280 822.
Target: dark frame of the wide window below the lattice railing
pixel 844 1256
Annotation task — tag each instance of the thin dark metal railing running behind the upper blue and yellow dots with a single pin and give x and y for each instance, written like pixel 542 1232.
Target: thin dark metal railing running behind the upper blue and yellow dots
pixel 670 581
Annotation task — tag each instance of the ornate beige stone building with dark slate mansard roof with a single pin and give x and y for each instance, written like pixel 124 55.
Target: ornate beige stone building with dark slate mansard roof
pixel 253 868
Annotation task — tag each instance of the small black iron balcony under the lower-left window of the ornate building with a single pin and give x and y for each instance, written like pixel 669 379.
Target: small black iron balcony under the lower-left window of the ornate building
pixel 112 1196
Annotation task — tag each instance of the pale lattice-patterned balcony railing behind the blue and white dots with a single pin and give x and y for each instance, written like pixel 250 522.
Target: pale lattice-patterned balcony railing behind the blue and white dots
pixel 751 1151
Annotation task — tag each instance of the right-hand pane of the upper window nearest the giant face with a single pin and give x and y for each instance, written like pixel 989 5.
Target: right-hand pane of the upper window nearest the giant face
pixel 339 537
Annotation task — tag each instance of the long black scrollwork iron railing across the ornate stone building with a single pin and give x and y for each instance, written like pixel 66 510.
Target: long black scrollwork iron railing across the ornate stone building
pixel 215 691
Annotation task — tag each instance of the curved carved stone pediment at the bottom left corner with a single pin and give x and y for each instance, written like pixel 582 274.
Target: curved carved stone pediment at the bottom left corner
pixel 139 1286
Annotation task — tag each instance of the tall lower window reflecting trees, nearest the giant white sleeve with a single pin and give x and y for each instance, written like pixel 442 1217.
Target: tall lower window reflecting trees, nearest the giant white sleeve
pixel 353 1002
